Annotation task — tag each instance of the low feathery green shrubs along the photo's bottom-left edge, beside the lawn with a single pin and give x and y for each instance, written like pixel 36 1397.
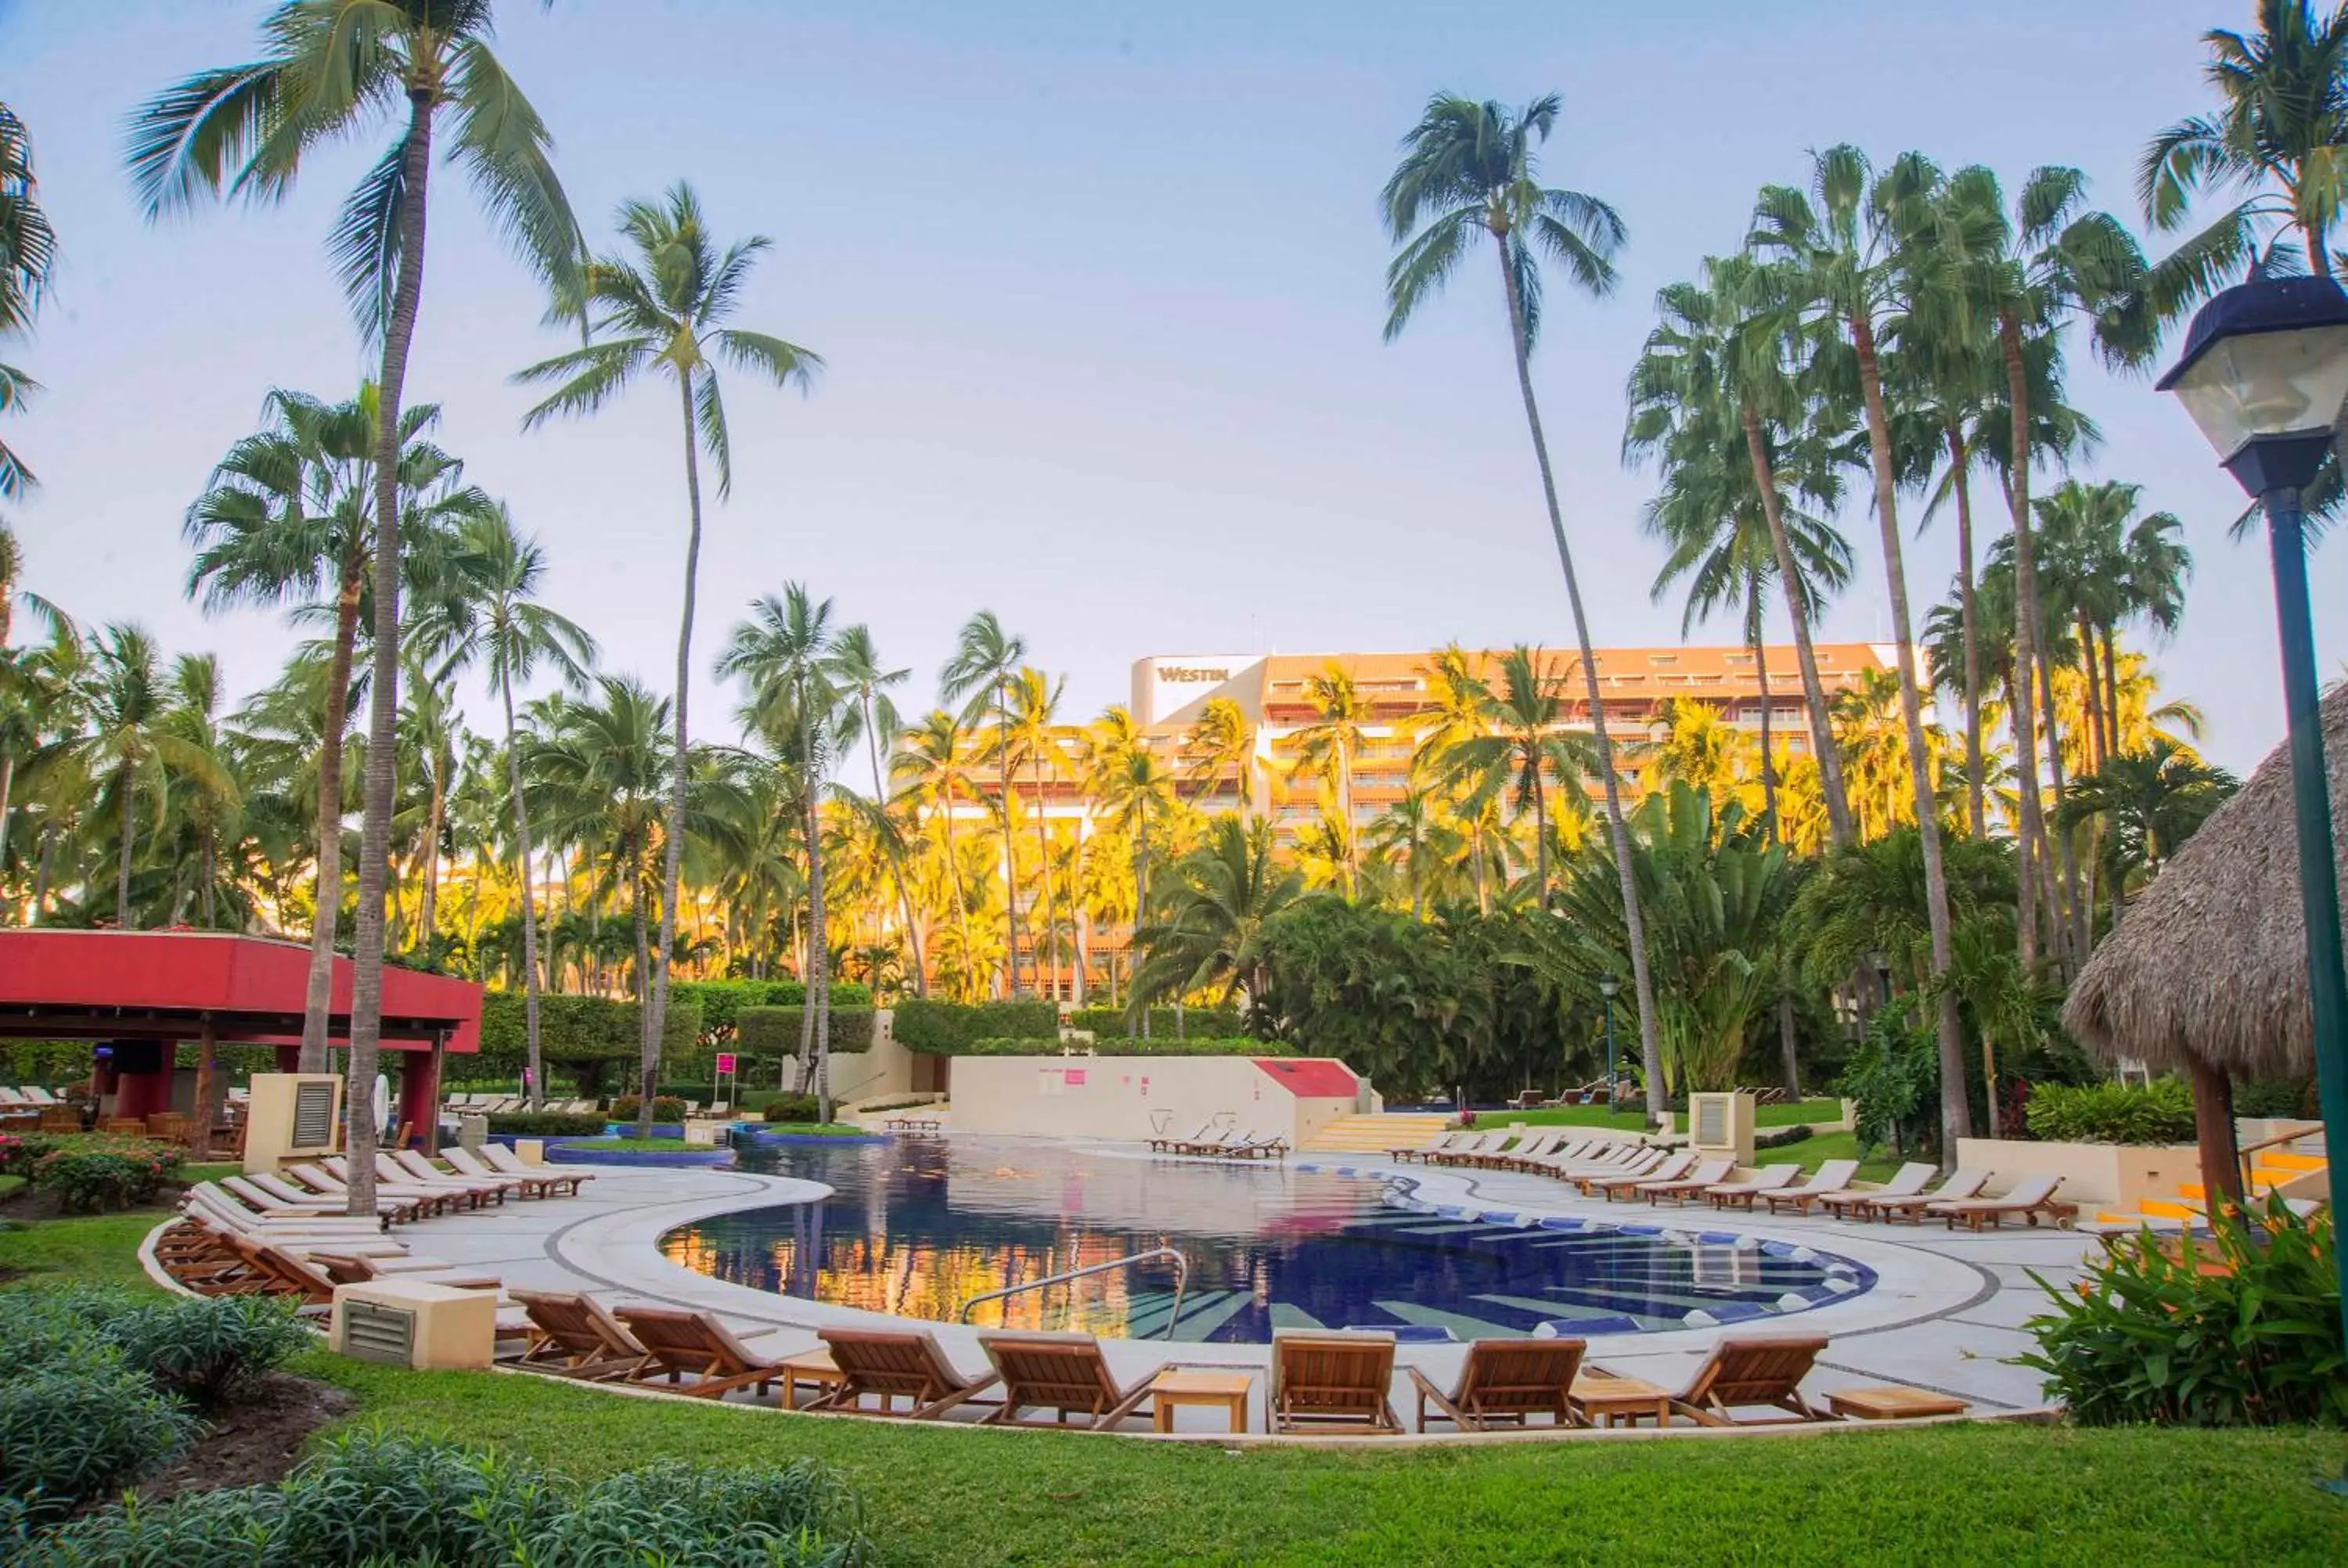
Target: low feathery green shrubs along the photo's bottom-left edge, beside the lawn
pixel 372 1496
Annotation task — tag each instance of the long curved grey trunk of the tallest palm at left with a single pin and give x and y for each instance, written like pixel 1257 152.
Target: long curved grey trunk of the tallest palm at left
pixel 384 717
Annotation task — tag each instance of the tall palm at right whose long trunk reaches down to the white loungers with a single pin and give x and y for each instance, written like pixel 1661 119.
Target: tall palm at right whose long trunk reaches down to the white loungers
pixel 1849 257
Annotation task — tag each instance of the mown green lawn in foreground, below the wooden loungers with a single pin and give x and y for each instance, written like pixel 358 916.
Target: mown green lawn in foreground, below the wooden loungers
pixel 1976 1494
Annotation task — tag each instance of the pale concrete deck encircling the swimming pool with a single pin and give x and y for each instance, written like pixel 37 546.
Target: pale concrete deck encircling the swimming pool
pixel 1943 1316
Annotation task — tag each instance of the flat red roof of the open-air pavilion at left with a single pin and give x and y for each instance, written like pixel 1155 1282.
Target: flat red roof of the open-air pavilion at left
pixel 170 985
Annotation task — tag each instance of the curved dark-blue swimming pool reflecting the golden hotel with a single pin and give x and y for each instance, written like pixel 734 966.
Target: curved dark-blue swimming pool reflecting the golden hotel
pixel 919 1226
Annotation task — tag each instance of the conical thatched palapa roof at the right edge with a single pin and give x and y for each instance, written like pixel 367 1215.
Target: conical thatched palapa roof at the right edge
pixel 2213 959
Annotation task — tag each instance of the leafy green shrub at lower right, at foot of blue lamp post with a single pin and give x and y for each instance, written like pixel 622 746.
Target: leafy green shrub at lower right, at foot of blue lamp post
pixel 2161 1341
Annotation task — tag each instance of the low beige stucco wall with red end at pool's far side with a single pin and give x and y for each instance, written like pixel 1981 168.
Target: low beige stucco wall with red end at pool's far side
pixel 1133 1097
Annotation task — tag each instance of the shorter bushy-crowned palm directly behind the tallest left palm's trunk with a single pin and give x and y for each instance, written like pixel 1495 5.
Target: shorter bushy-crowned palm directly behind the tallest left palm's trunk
pixel 285 518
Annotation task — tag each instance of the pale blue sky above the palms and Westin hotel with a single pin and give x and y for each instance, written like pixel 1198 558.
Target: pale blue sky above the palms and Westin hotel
pixel 1100 295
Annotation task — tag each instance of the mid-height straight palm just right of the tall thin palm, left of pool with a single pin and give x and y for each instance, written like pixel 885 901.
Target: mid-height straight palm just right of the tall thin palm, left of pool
pixel 788 661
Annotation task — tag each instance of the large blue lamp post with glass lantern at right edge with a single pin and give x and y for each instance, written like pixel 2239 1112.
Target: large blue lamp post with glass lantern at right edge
pixel 2265 377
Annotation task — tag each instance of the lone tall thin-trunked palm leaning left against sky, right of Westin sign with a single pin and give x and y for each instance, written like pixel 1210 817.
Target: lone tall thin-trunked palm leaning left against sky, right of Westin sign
pixel 1466 170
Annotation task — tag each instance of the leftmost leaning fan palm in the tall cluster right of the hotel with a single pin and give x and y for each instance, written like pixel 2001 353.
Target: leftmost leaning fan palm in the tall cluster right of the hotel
pixel 1715 374
